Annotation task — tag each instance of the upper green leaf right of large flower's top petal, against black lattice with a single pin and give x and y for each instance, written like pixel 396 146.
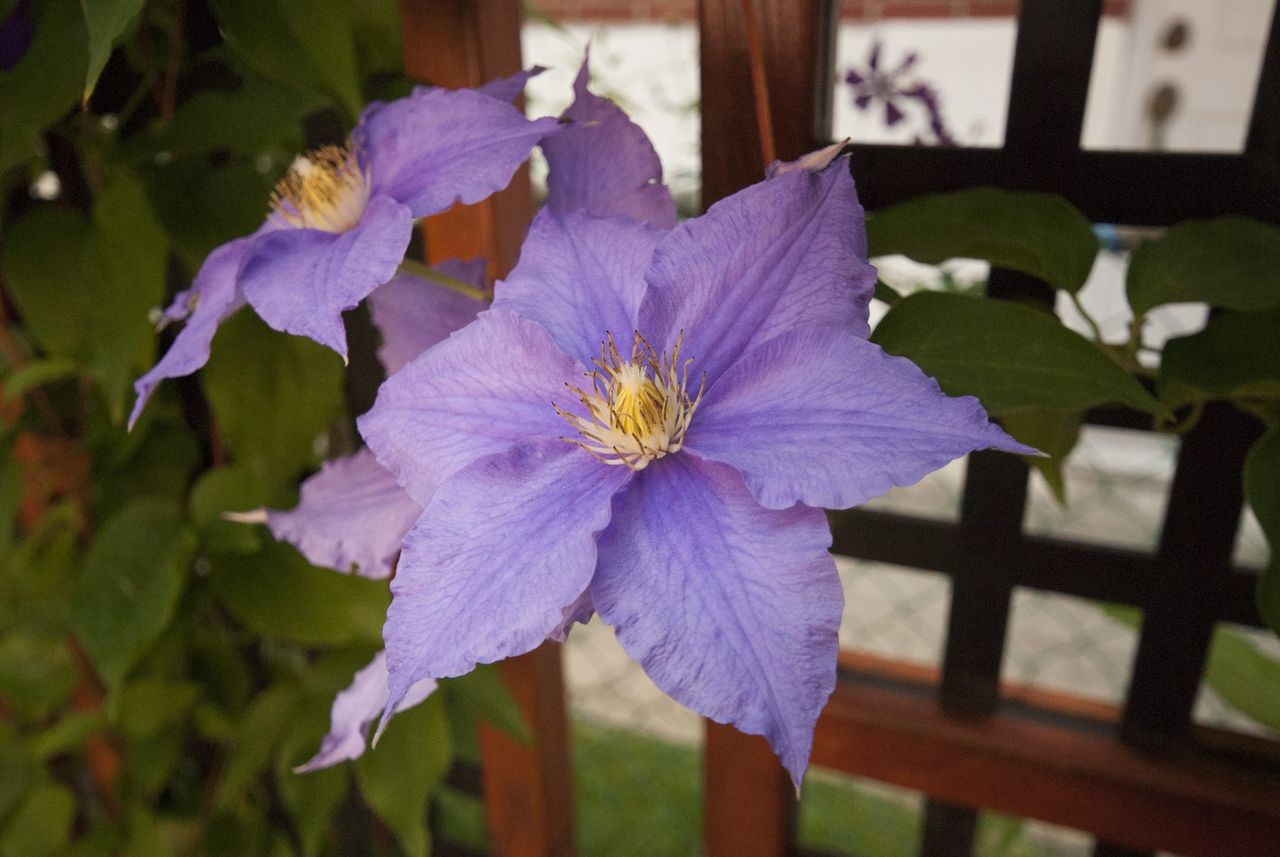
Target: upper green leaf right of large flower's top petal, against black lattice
pixel 1036 233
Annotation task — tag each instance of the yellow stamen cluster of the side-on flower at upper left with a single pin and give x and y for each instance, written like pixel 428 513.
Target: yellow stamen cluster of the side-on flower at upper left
pixel 323 190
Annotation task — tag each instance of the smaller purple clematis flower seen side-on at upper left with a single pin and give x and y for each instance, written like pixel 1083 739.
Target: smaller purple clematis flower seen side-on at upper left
pixel 342 218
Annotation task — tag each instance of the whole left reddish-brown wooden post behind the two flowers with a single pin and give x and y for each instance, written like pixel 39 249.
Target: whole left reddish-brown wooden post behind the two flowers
pixel 529 795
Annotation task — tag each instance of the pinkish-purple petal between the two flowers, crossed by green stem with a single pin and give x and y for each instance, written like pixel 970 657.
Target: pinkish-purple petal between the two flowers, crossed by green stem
pixel 414 314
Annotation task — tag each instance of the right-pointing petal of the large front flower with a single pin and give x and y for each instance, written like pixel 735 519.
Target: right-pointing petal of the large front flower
pixel 826 419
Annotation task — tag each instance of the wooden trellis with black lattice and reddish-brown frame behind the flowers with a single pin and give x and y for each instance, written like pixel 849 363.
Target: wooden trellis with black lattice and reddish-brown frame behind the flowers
pixel 1141 778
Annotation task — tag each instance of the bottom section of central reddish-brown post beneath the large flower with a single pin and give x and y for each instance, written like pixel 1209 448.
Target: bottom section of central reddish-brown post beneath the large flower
pixel 749 800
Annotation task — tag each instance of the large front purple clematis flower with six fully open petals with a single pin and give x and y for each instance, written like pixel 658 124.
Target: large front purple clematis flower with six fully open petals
pixel 650 423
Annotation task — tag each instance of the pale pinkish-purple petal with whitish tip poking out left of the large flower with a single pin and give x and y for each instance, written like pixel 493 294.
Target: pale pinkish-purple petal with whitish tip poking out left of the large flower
pixel 353 516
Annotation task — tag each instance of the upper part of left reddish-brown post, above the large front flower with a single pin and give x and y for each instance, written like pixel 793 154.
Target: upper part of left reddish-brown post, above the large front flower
pixel 460 44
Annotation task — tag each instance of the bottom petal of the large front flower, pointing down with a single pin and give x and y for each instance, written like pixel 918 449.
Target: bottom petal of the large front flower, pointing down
pixel 730 608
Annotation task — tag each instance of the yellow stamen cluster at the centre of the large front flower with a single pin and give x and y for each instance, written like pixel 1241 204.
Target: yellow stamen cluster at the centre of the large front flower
pixel 638 409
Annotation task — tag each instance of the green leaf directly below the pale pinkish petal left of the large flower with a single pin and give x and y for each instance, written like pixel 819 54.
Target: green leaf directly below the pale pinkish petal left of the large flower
pixel 277 593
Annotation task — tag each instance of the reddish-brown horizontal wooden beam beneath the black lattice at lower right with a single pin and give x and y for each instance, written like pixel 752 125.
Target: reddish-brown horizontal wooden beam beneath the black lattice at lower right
pixel 888 726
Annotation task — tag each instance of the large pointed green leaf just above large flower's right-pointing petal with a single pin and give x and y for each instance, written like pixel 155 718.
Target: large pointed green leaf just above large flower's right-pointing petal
pixel 1007 355
